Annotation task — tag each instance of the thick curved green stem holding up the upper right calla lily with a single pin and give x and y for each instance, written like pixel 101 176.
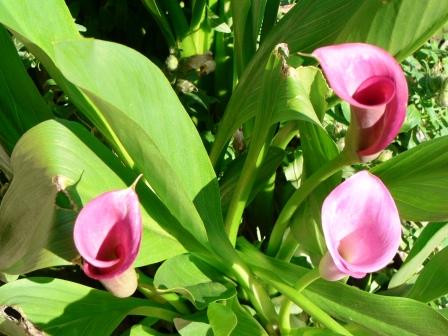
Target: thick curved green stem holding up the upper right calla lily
pixel 327 170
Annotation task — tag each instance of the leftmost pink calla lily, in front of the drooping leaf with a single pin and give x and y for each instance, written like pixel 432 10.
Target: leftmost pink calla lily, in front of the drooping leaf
pixel 107 235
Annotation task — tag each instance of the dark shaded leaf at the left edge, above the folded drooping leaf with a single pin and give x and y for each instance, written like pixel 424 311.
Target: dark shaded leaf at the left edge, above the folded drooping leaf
pixel 21 105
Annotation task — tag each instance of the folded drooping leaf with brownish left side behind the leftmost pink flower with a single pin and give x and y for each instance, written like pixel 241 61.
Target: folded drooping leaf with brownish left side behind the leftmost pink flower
pixel 51 157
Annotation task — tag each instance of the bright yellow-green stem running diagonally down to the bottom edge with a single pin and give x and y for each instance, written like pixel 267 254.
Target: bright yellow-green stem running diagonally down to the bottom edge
pixel 308 306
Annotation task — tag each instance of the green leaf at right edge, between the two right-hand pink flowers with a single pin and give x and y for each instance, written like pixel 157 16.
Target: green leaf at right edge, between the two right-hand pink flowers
pixel 418 181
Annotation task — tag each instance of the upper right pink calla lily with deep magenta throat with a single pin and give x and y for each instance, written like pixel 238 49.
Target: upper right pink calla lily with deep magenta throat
pixel 373 83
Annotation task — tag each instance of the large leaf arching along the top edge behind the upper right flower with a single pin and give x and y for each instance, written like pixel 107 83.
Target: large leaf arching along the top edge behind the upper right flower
pixel 311 24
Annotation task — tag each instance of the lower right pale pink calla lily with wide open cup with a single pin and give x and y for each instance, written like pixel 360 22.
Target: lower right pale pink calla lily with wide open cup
pixel 361 227
